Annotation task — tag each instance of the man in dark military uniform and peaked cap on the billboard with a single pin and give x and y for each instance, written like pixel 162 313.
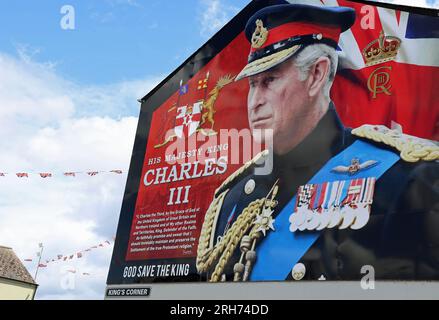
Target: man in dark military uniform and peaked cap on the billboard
pixel 337 199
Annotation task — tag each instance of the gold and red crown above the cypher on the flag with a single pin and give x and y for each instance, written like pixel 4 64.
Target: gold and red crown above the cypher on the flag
pixel 383 49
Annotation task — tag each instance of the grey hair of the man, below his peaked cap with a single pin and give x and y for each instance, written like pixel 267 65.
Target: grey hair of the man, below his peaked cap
pixel 309 55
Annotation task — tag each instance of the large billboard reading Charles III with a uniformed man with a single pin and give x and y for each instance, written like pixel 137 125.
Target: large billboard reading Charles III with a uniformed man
pixel 300 142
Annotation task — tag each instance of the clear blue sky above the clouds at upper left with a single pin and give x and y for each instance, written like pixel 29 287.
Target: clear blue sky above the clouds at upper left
pixel 114 40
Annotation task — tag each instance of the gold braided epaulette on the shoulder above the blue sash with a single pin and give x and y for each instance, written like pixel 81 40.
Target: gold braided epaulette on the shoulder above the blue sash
pixel 411 148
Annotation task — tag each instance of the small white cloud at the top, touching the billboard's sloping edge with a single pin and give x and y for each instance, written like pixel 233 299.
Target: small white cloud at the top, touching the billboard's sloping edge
pixel 215 14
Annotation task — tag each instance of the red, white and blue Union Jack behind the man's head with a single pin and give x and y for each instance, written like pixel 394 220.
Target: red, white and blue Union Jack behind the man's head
pixel 413 76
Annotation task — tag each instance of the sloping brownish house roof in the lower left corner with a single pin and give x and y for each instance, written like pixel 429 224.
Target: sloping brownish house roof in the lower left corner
pixel 12 268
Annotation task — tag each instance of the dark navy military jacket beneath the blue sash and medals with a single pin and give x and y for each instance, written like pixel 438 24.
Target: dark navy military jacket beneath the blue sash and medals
pixel 400 240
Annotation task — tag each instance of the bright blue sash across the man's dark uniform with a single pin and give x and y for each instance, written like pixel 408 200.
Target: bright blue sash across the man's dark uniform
pixel 281 249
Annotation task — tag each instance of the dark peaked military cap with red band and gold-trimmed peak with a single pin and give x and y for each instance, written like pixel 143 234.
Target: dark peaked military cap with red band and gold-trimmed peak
pixel 278 32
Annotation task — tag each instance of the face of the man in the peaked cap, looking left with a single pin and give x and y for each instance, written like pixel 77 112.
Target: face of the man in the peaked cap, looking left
pixel 277 100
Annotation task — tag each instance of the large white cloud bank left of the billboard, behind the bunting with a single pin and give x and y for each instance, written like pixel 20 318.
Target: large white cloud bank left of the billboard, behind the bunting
pixel 49 124
